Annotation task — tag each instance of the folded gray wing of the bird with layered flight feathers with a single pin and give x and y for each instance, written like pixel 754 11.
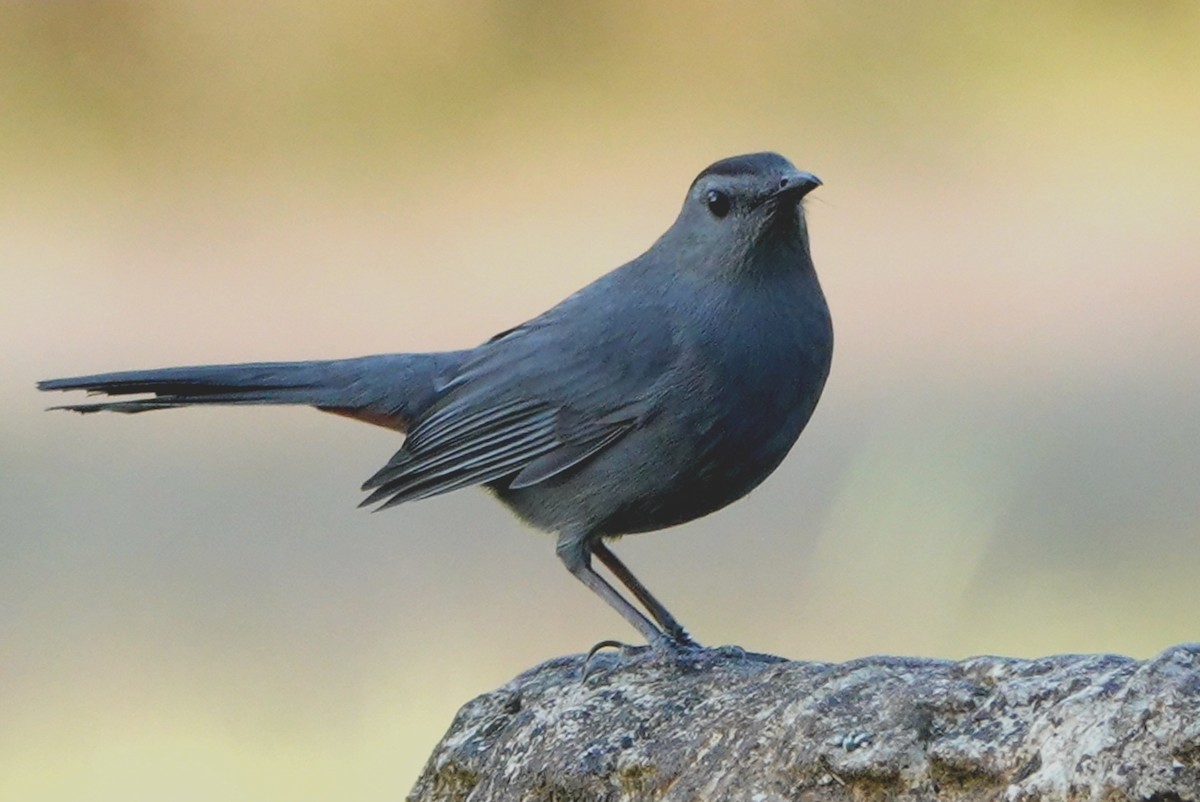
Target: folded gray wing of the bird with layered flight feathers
pixel 537 400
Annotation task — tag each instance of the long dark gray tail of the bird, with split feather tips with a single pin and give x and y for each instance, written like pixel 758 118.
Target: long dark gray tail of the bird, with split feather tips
pixel 388 390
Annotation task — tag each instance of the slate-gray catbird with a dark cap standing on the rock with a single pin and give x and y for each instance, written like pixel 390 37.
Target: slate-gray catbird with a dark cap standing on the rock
pixel 661 393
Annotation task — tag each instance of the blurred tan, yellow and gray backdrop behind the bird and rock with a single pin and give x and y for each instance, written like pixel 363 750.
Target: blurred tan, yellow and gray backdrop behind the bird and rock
pixel 1006 459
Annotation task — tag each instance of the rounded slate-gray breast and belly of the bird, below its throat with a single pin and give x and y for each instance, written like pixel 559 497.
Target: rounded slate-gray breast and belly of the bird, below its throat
pixel 733 408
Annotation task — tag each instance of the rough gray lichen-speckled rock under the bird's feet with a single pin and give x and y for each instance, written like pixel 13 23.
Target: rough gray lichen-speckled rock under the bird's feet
pixel 721 725
